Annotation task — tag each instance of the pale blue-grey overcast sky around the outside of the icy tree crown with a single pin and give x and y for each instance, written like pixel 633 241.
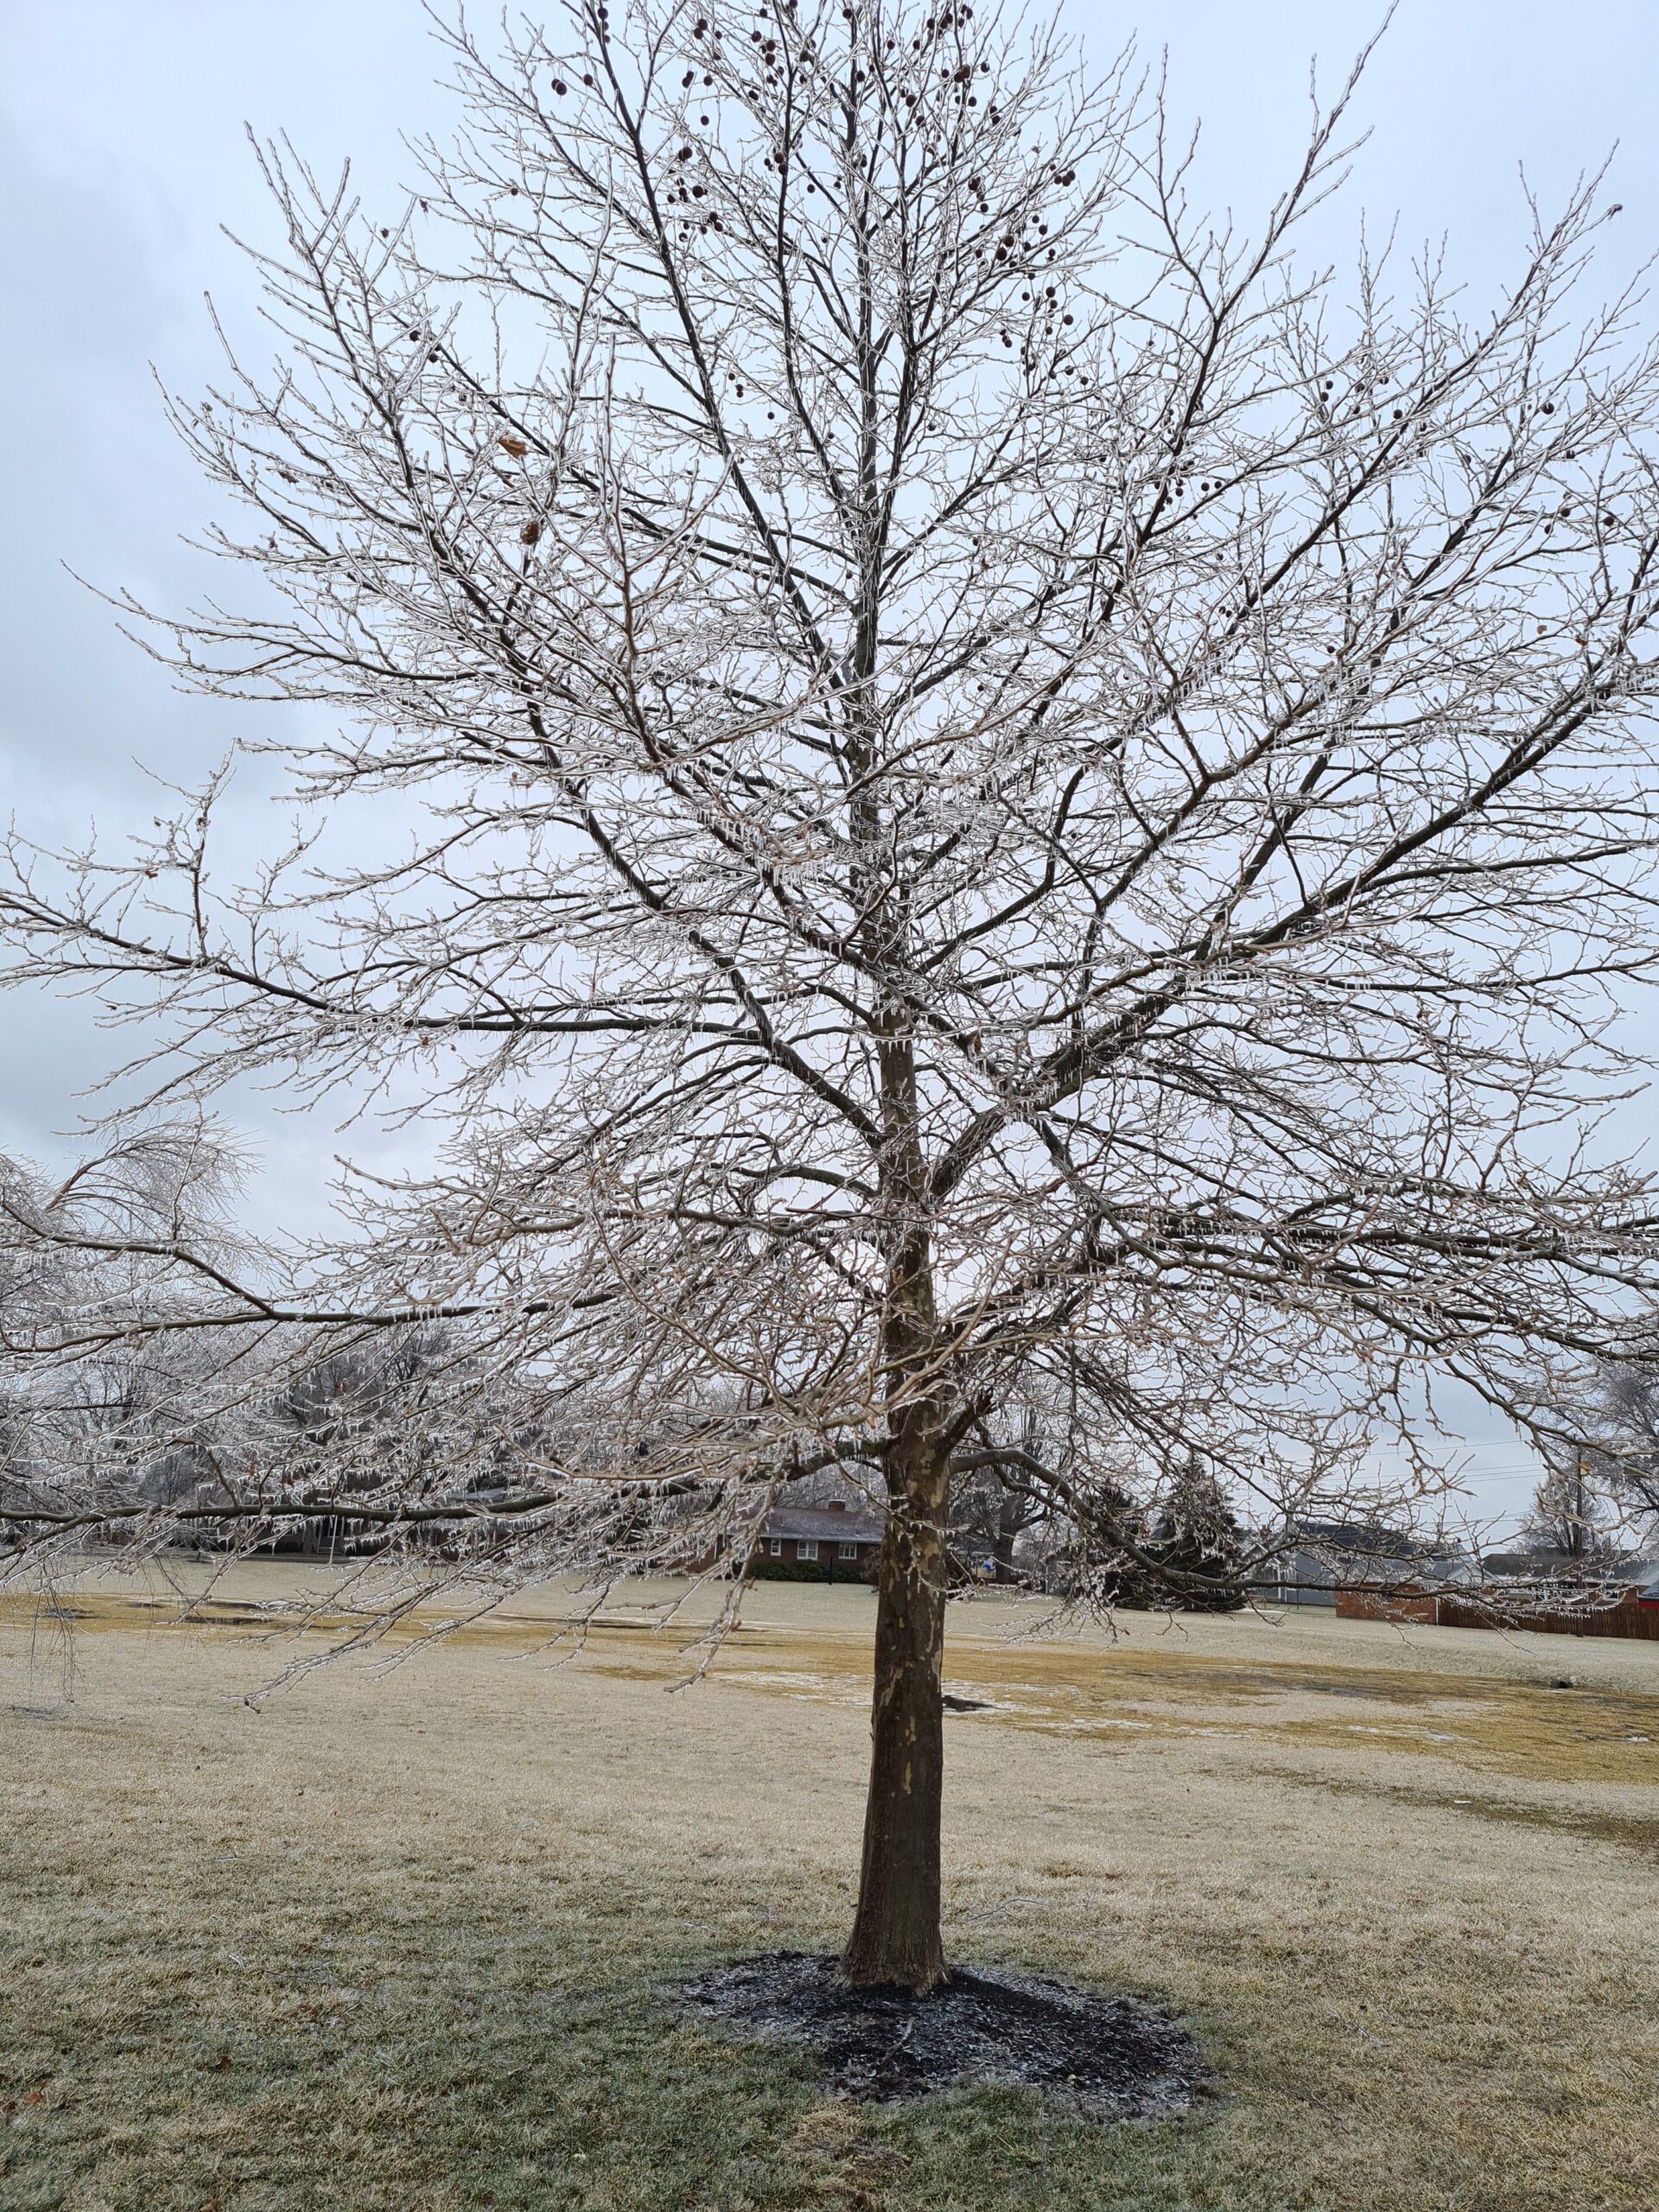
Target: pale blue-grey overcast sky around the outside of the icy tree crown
pixel 123 152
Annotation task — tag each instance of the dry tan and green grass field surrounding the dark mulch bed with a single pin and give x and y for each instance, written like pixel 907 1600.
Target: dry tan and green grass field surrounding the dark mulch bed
pixel 393 1941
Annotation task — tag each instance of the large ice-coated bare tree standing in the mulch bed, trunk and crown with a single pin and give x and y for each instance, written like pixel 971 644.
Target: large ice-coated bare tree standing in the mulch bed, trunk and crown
pixel 997 795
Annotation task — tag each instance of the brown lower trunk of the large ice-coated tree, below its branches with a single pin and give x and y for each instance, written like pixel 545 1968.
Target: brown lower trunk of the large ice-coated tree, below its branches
pixel 897 1928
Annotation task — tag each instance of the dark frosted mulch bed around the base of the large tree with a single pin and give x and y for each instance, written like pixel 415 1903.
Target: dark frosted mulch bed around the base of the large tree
pixel 1107 2058
